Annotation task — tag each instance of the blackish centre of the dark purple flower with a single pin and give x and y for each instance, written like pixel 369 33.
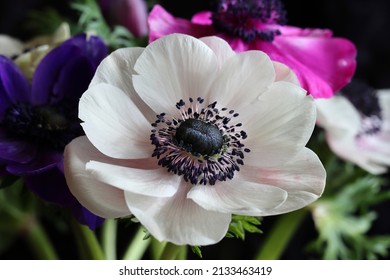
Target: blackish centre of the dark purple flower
pixel 53 126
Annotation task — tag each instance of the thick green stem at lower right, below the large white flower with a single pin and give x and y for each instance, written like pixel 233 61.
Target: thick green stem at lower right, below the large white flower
pixel 280 235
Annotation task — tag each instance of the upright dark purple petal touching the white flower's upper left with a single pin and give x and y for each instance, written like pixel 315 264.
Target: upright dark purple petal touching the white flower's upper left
pixel 54 77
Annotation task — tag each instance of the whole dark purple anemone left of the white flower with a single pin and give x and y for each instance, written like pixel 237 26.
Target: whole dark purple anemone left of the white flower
pixel 38 120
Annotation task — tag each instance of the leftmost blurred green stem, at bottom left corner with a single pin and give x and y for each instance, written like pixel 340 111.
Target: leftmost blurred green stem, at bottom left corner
pixel 38 240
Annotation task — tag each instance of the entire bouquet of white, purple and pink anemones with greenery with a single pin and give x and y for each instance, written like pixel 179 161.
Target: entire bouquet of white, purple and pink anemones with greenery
pixel 134 133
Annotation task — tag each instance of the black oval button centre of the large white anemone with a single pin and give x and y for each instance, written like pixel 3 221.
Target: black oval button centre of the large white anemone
pixel 199 137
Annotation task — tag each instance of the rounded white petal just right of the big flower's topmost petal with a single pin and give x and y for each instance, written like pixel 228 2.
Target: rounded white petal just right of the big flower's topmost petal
pixel 242 79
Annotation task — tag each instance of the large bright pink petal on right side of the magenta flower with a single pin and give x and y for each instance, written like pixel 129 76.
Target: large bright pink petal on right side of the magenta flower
pixel 323 65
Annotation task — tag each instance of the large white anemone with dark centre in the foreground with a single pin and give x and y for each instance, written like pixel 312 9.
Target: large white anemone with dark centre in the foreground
pixel 185 132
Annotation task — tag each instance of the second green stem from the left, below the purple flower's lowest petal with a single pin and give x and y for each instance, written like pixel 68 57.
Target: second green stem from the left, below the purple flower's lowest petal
pixel 87 242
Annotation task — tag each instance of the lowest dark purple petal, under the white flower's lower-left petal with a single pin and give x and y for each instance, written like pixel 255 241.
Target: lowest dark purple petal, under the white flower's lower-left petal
pixel 51 186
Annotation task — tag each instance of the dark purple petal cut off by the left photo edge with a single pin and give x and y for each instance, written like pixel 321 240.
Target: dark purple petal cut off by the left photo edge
pixel 13 85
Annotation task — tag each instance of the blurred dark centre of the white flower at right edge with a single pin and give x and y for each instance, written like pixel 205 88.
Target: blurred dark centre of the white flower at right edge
pixel 365 99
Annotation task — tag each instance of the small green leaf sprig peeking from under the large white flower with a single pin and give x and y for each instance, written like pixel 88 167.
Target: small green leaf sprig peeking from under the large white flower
pixel 240 224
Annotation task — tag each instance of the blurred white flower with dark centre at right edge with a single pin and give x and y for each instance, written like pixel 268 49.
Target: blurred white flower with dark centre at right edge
pixel 357 126
